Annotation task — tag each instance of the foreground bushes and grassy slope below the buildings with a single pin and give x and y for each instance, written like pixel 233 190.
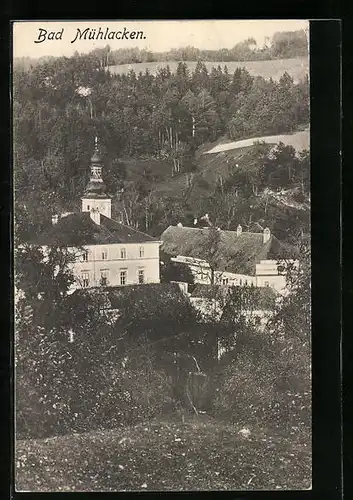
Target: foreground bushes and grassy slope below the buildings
pixel 126 380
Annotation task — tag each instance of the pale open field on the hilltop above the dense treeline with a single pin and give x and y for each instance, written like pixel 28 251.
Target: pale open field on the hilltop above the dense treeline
pixel 297 68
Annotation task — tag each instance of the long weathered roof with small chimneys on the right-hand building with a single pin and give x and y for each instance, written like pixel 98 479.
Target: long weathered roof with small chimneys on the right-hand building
pixel 235 253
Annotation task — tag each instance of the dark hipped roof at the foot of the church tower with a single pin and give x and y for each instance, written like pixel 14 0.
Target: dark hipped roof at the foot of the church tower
pixel 79 229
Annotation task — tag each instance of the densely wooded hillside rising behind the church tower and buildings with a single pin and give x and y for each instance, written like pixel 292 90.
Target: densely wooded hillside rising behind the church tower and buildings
pixel 151 131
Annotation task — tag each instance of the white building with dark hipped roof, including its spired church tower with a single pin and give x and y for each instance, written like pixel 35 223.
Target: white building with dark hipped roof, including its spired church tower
pixel 107 252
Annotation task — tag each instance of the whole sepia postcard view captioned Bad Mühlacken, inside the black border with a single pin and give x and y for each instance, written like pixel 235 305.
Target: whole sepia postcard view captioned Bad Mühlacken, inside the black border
pixel 162 255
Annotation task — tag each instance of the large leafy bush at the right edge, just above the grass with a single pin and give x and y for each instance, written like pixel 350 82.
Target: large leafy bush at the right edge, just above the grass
pixel 269 386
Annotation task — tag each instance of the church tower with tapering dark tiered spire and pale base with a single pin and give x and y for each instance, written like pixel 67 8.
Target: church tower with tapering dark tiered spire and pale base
pixel 95 198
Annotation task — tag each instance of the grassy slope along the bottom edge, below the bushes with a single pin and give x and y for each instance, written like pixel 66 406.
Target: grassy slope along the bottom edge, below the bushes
pixel 200 454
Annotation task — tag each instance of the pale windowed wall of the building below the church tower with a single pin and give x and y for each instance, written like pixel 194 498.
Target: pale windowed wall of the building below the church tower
pixel 114 263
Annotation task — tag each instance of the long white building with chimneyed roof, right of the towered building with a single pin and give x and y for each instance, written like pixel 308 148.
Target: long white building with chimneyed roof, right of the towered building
pixel 242 259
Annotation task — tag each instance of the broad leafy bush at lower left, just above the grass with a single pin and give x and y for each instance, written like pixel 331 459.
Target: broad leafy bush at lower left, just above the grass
pixel 69 393
